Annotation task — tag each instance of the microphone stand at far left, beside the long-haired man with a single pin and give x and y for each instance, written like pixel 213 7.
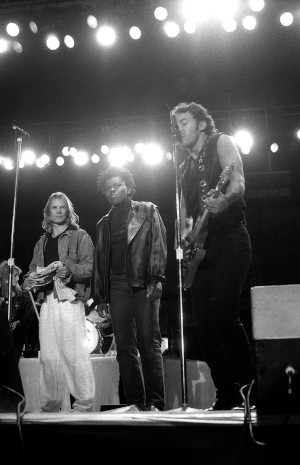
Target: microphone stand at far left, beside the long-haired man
pixel 11 260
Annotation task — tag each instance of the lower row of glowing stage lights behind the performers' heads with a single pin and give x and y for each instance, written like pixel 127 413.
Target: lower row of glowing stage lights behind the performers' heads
pixel 150 153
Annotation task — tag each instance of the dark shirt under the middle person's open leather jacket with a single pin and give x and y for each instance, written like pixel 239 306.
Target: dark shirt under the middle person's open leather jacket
pixel 118 228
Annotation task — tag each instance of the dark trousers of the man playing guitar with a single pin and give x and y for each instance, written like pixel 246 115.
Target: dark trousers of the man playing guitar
pixel 215 295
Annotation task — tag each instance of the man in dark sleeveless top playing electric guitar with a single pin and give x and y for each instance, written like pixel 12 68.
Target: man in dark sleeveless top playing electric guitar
pixel 213 225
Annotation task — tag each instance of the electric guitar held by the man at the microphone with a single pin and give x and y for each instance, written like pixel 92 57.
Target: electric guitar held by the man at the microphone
pixel 195 240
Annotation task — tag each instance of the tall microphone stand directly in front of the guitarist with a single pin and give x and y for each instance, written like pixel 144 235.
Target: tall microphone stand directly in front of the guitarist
pixel 179 257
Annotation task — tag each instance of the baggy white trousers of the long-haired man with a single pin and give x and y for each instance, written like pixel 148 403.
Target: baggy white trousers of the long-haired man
pixel 64 356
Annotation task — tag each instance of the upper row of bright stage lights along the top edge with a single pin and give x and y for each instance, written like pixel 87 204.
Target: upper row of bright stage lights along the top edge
pixel 195 13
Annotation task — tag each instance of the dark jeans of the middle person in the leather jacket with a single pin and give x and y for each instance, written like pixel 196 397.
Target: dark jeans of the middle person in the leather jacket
pixel 135 323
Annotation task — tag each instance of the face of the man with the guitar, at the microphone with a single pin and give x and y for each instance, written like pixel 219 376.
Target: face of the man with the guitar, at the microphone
pixel 189 129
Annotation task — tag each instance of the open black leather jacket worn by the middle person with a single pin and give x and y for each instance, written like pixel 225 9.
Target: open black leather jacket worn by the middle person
pixel 146 254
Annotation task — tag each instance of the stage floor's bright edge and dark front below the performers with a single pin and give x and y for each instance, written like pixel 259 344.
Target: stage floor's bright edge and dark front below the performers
pixel 126 434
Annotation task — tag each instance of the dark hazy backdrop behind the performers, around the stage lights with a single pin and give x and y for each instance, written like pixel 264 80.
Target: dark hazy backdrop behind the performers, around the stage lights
pixel 87 96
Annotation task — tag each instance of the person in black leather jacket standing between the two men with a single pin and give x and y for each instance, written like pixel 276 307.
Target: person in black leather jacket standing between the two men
pixel 130 261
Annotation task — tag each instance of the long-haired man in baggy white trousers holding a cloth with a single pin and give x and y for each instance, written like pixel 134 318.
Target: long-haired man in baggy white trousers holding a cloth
pixel 64 356
